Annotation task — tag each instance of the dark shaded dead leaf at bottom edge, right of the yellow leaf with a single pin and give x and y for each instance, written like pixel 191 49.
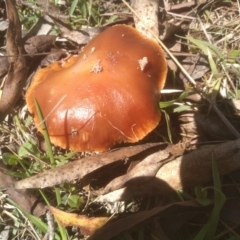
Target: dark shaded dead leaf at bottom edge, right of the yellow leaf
pixel 112 229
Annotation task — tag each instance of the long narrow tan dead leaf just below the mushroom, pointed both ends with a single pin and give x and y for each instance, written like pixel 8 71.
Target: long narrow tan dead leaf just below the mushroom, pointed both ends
pixel 80 168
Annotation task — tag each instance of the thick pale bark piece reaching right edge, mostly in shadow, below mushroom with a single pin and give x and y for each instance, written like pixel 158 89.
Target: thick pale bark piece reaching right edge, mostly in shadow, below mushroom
pixel 185 171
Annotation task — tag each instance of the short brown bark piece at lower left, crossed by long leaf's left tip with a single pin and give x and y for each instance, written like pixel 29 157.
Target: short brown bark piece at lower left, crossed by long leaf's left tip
pixel 21 197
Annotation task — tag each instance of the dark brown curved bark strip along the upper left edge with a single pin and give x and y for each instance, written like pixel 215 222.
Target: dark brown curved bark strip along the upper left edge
pixel 16 77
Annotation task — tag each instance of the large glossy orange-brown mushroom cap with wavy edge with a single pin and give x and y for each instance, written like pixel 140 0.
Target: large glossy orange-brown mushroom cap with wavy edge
pixel 106 95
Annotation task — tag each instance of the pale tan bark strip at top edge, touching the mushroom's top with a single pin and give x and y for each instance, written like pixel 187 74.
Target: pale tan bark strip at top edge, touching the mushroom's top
pixel 148 13
